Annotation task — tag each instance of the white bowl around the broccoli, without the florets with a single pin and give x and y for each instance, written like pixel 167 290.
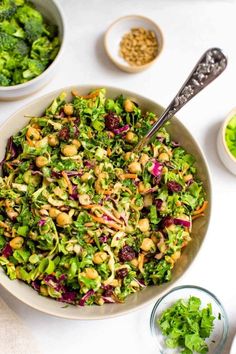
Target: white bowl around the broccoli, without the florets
pixel 52 12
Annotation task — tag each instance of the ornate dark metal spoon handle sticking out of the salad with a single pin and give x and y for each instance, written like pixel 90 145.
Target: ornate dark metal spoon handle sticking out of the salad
pixel 208 68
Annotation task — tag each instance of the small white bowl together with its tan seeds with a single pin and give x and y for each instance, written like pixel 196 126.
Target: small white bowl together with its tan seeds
pixel 133 43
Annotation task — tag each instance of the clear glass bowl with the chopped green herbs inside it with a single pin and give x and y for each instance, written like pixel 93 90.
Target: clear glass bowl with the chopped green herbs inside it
pixel 189 319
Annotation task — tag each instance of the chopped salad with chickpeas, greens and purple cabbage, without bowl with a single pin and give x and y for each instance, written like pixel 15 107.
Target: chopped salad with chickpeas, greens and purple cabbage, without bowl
pixel 85 220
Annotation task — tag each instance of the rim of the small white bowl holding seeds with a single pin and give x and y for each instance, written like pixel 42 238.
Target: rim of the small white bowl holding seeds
pixel 127 66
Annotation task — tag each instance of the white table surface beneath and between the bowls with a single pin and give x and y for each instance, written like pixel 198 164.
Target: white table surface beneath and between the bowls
pixel 189 27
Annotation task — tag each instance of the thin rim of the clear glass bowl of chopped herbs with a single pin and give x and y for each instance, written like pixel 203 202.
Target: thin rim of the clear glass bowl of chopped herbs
pixel 203 290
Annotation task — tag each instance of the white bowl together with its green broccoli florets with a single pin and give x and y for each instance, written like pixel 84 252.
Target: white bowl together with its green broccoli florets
pixel 31 43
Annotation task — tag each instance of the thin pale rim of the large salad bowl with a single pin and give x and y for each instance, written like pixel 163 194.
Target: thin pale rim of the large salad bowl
pixel 68 88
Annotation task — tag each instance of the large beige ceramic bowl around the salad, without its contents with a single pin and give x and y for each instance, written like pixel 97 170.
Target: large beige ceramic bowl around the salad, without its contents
pixel 179 133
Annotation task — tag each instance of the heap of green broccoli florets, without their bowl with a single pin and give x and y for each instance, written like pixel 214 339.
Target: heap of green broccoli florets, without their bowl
pixel 27 44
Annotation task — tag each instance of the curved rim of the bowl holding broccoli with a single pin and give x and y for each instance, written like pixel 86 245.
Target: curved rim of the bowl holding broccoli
pixel 53 63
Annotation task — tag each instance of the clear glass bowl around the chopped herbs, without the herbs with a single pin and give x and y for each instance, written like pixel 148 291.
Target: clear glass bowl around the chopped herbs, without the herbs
pixel 219 334
